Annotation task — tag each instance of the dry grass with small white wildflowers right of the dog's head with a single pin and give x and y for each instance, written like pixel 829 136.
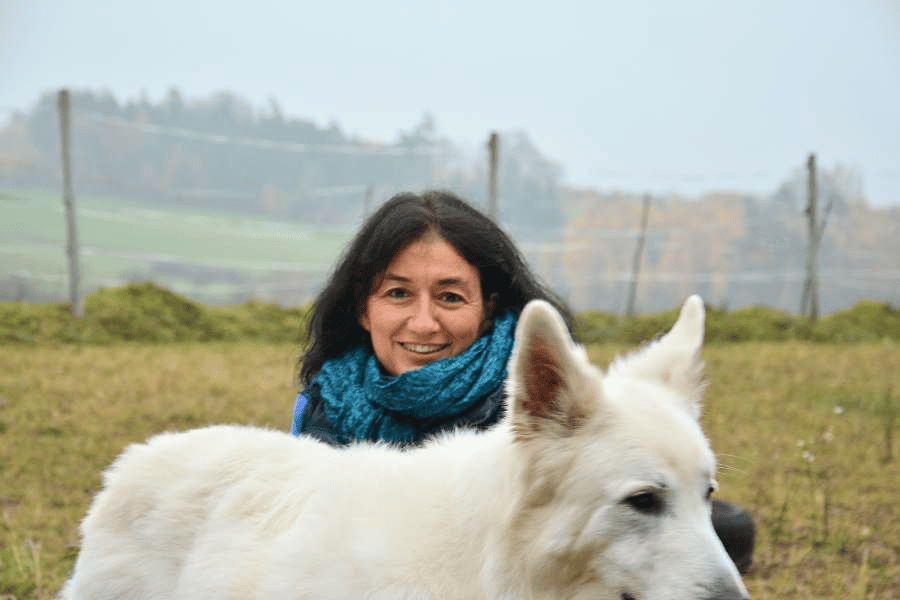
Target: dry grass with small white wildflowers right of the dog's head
pixel 800 431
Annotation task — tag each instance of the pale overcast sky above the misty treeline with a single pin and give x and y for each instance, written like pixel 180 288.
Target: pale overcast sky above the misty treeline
pixel 658 96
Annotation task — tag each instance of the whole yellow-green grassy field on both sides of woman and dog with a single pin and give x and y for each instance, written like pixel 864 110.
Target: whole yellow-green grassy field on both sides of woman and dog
pixel 806 435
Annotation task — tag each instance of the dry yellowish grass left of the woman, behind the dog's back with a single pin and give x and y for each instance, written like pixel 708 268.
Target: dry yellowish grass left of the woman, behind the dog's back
pixel 66 412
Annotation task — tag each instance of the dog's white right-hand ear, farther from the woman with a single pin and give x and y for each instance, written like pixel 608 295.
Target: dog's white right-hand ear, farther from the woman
pixel 674 359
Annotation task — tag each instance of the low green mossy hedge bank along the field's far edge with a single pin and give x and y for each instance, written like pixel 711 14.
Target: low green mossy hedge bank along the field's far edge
pixel 145 312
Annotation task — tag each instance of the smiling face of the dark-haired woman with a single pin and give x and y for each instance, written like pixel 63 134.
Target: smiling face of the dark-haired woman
pixel 426 306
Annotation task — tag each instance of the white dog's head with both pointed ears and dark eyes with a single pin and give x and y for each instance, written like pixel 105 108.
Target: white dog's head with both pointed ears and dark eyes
pixel 616 495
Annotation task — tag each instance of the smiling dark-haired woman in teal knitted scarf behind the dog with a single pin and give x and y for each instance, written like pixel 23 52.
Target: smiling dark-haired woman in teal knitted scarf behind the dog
pixel 413 331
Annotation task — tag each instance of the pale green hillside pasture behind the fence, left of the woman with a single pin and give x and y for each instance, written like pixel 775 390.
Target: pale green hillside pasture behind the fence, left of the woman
pixel 122 240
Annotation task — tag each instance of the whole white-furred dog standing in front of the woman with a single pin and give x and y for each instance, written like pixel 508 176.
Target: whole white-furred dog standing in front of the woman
pixel 594 486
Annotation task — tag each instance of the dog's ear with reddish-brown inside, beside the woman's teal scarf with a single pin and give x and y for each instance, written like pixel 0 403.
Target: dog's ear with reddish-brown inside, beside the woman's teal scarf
pixel 544 387
